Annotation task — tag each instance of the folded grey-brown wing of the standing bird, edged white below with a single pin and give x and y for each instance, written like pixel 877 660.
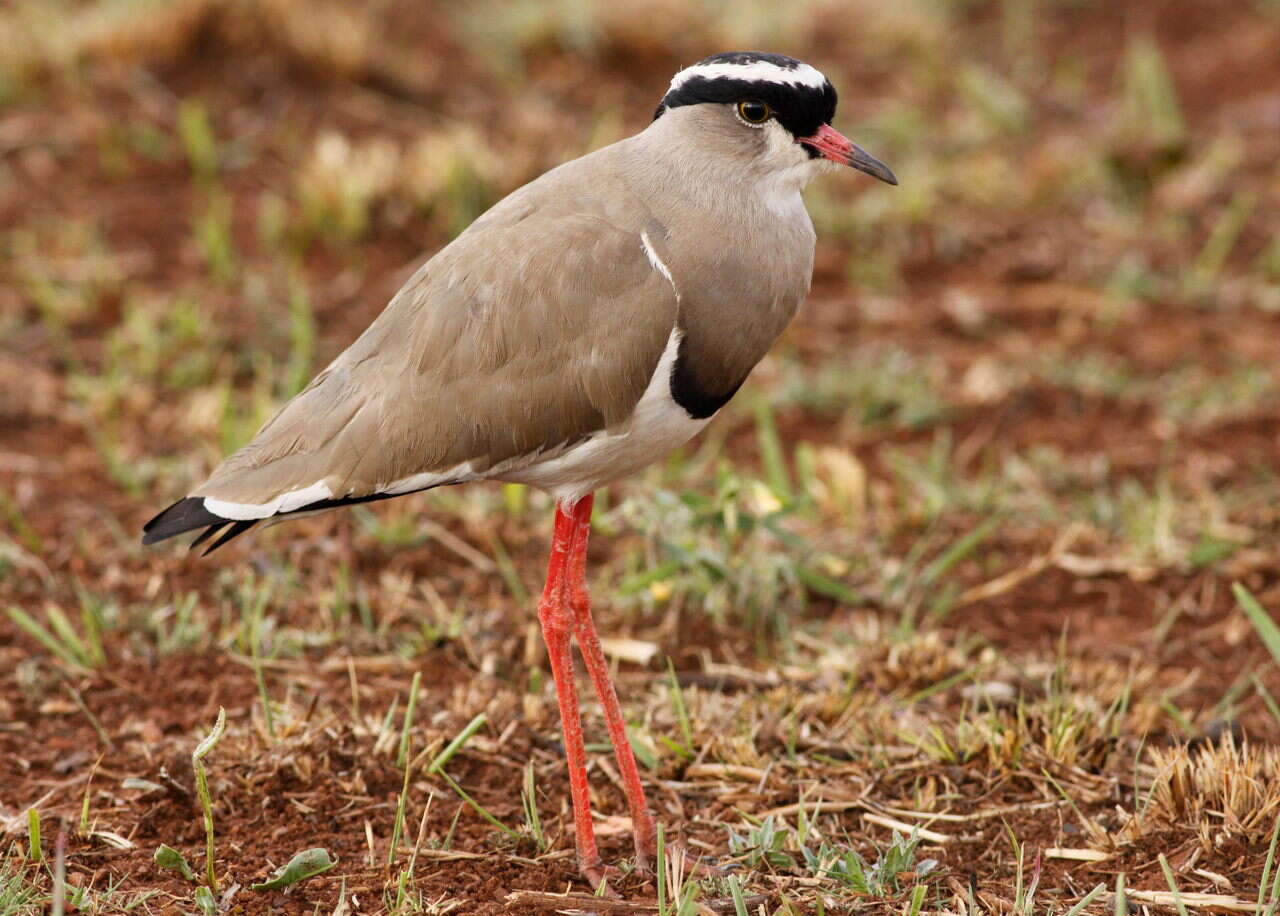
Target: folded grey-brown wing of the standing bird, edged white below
pixel 524 336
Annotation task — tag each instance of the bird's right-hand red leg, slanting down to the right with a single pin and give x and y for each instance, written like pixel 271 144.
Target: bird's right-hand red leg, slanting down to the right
pixel 589 644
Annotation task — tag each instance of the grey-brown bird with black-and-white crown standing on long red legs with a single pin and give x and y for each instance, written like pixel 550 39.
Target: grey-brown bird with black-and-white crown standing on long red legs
pixel 580 329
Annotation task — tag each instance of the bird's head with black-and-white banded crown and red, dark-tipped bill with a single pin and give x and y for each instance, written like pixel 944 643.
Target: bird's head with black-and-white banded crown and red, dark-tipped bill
pixel 771 108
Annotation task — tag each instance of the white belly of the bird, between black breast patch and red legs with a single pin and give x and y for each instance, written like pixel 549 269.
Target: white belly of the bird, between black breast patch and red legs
pixel 657 427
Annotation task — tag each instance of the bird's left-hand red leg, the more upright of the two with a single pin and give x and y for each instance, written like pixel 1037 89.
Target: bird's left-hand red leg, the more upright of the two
pixel 557 620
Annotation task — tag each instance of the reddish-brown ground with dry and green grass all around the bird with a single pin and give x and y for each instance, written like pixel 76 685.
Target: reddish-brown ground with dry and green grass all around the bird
pixel 947 593
